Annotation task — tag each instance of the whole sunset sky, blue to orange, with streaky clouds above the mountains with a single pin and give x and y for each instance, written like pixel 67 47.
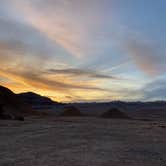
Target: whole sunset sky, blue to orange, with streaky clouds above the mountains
pixel 84 50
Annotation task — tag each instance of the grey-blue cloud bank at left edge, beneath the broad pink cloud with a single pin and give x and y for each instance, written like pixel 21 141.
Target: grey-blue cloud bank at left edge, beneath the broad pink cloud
pixel 23 45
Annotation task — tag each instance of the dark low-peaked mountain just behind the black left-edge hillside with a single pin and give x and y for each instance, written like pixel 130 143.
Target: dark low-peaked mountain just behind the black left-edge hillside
pixel 36 99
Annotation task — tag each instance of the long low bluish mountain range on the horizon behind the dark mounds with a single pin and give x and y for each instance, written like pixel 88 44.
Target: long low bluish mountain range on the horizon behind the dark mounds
pixel 139 110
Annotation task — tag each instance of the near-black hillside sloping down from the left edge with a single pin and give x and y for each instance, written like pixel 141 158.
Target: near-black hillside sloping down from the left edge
pixel 11 104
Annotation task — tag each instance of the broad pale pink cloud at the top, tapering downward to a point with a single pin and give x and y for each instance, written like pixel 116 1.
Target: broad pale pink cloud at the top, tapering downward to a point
pixel 68 23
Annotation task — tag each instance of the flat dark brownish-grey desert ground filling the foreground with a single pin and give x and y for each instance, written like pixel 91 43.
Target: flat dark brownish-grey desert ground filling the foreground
pixel 82 142
